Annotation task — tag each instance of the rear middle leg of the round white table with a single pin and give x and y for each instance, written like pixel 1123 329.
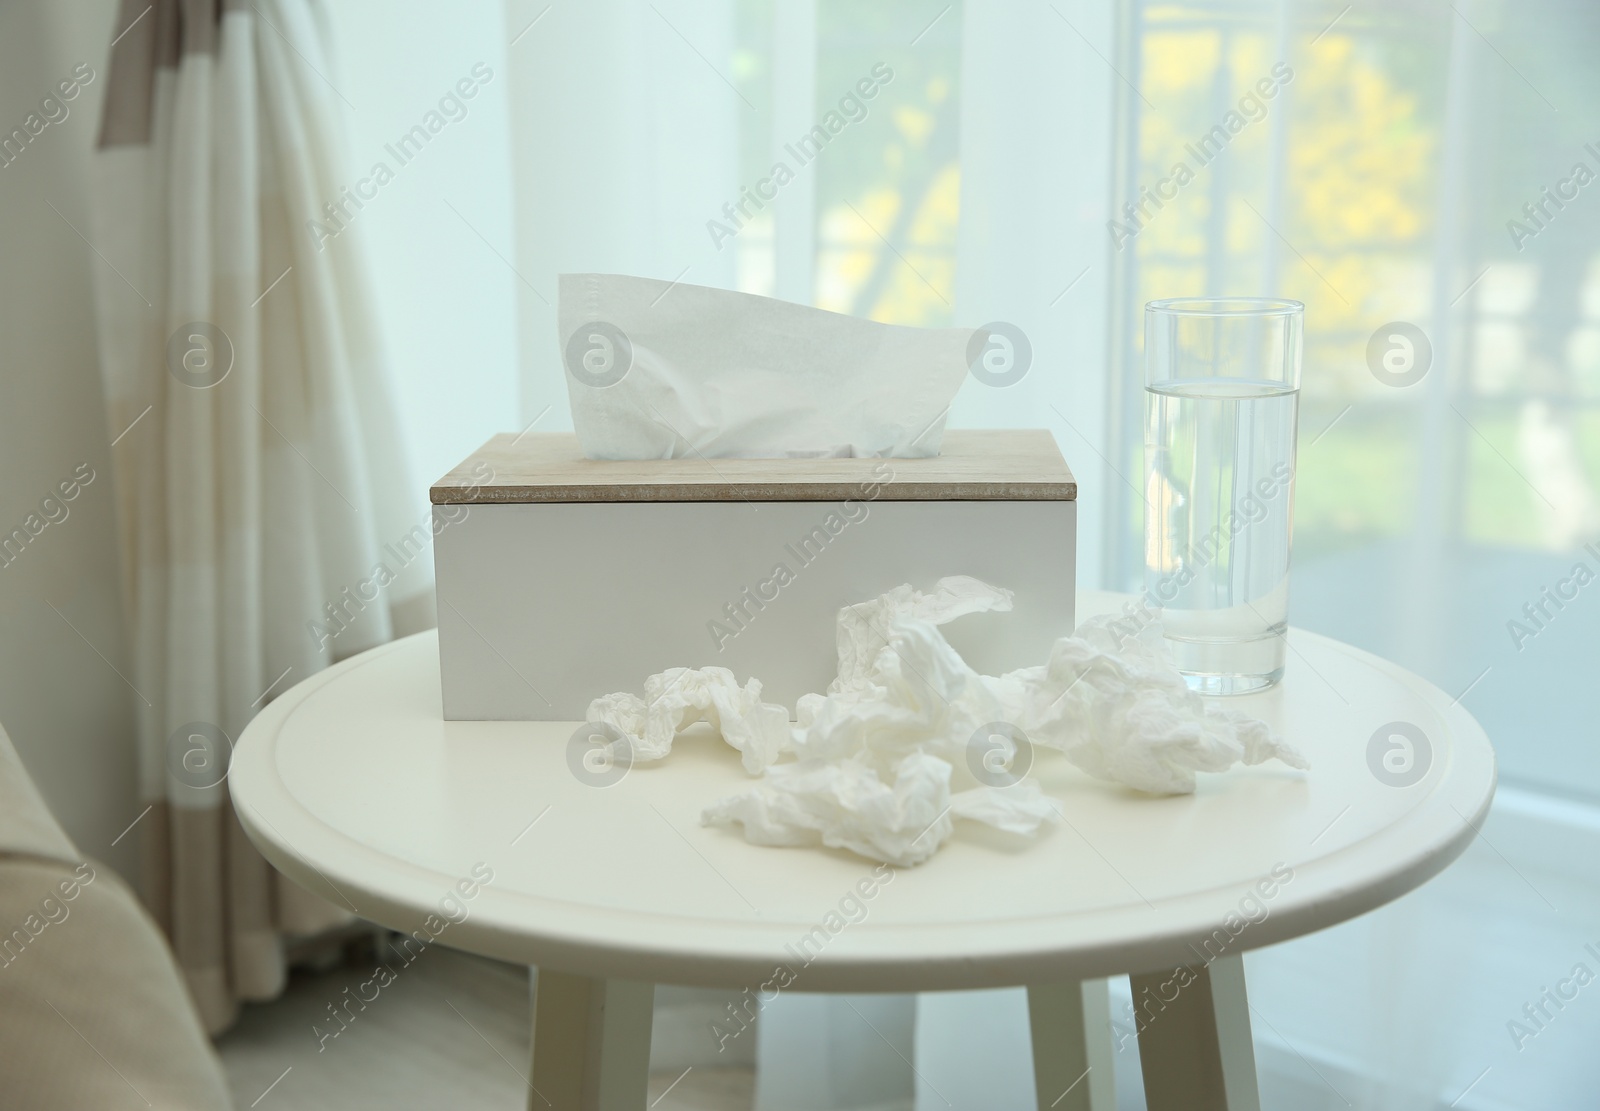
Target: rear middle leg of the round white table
pixel 1073 1046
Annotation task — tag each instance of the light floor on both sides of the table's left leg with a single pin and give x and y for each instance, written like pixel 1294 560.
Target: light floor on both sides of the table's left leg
pixel 446 1032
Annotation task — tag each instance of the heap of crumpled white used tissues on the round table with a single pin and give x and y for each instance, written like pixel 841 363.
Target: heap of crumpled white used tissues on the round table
pixel 878 753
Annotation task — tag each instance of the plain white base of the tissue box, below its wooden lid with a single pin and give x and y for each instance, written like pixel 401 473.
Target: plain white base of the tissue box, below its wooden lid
pixel 546 606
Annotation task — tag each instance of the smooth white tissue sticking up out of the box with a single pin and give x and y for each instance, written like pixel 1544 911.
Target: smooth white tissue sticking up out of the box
pixel 662 371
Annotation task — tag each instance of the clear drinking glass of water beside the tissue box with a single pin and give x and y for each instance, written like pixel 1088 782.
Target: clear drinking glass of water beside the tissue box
pixel 1222 406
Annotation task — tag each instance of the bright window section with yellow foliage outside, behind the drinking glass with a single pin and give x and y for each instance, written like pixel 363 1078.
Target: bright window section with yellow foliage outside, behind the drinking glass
pixel 1375 166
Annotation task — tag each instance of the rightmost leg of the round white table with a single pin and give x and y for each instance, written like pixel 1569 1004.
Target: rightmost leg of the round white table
pixel 1194 1038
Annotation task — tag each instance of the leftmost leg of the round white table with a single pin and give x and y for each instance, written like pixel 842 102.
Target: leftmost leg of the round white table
pixel 591 1043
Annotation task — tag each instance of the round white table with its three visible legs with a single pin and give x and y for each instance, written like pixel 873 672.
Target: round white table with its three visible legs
pixel 482 836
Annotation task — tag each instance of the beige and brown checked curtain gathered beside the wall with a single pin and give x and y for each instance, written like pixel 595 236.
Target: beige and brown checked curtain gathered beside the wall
pixel 266 521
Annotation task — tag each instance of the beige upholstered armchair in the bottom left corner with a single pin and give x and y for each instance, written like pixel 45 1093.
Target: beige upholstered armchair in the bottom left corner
pixel 92 1009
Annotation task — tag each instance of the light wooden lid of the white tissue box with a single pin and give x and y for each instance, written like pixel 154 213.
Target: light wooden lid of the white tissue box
pixel 975 465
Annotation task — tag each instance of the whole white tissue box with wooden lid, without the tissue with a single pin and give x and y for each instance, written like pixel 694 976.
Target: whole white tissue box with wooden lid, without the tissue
pixel 564 579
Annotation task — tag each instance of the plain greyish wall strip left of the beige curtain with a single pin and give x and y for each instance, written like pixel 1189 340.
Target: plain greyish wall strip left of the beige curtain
pixel 62 699
